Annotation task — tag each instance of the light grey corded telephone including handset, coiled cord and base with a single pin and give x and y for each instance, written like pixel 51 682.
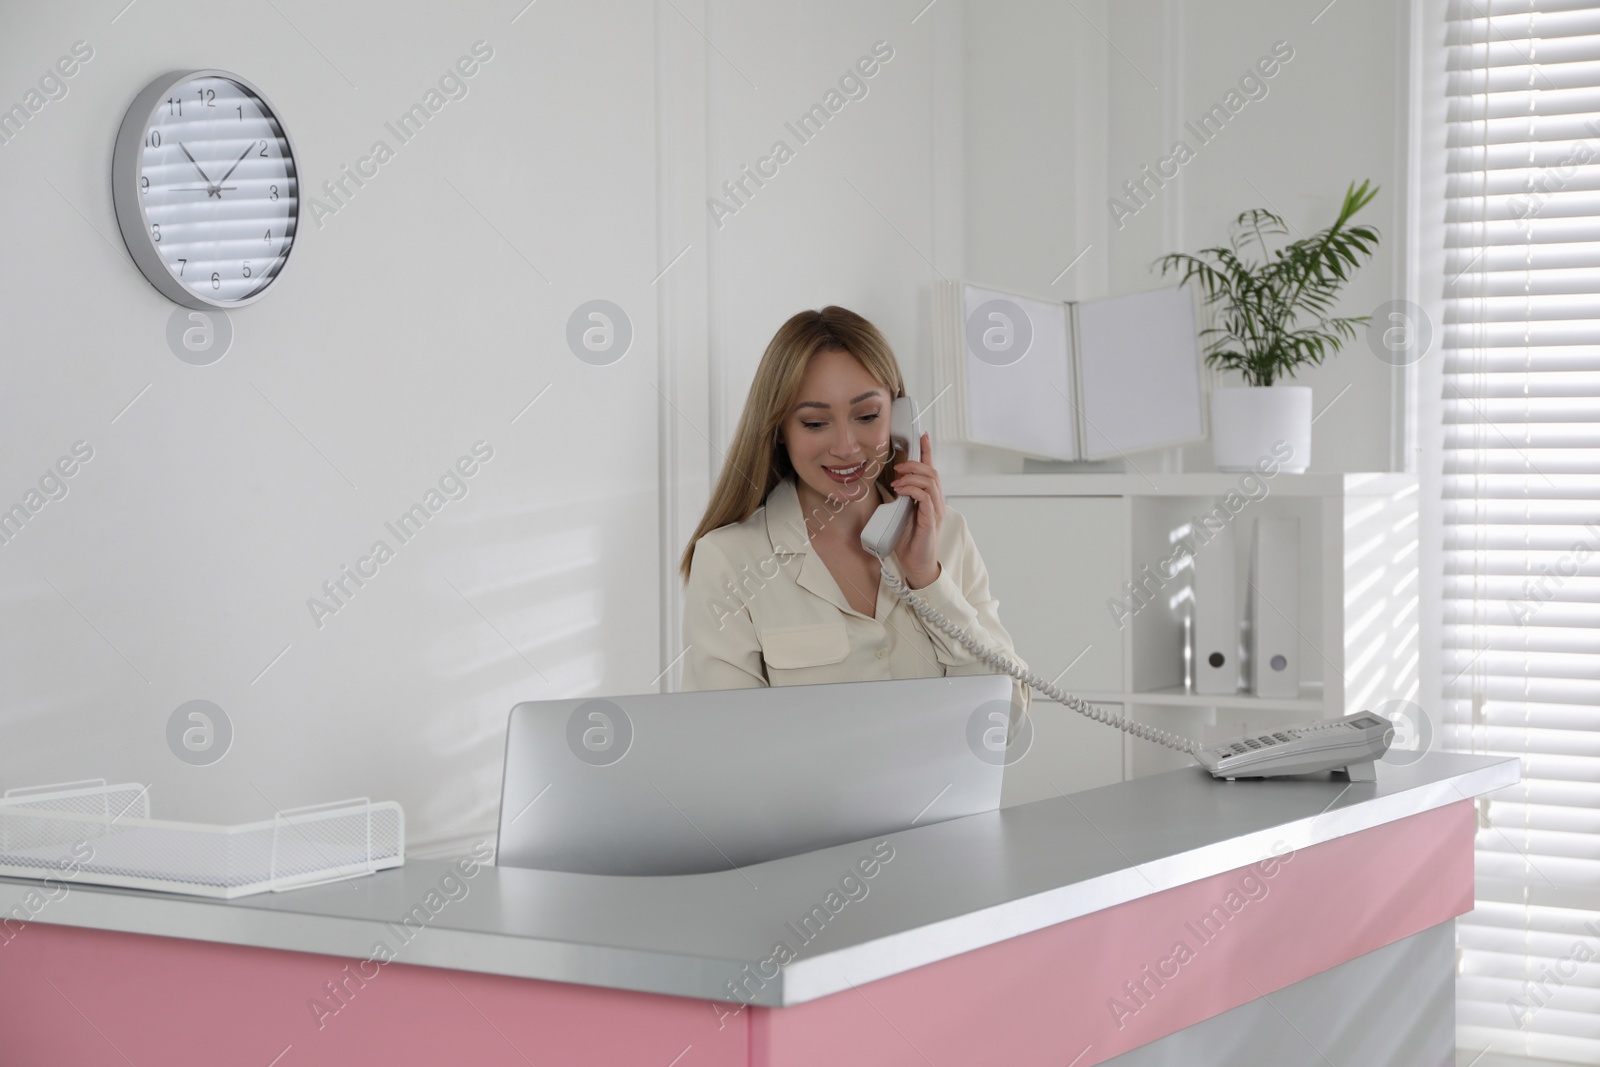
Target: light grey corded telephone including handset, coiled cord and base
pixel 1350 745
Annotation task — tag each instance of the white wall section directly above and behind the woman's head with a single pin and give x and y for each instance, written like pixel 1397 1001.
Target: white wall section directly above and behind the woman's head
pixel 868 214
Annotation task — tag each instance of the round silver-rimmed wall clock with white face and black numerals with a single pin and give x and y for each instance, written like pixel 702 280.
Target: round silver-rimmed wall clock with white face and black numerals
pixel 206 188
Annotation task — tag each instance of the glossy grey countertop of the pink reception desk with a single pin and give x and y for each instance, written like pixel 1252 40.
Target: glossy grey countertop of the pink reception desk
pixel 948 889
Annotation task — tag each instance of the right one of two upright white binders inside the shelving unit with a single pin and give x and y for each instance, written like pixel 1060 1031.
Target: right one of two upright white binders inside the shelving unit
pixel 1274 609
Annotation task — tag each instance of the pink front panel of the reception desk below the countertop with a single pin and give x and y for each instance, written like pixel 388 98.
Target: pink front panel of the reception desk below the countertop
pixel 1078 993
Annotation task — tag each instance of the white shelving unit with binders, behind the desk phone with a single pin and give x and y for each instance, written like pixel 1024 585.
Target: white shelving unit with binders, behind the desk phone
pixel 1060 548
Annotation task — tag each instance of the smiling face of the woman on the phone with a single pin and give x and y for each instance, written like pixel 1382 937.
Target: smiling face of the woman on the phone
pixel 839 430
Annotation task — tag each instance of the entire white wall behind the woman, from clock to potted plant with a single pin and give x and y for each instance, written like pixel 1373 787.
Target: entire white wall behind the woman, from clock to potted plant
pixel 417 322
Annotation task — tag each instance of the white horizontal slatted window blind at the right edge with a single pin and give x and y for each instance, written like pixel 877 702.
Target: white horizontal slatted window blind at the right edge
pixel 1521 510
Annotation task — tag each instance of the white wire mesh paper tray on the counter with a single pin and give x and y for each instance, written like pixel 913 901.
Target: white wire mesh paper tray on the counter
pixel 105 836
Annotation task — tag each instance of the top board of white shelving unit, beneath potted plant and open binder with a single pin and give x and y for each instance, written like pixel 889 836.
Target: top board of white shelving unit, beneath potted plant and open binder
pixel 1202 484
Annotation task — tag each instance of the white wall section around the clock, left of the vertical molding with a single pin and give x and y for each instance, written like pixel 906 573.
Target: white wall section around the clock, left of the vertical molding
pixel 404 330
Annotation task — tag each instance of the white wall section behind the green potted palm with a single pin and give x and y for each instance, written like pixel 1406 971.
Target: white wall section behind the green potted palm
pixel 1332 116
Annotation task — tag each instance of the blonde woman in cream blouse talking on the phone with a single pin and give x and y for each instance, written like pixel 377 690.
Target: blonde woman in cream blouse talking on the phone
pixel 780 586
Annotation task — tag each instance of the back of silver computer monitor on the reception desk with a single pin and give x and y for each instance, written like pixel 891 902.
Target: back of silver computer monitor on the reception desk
pixel 687 783
